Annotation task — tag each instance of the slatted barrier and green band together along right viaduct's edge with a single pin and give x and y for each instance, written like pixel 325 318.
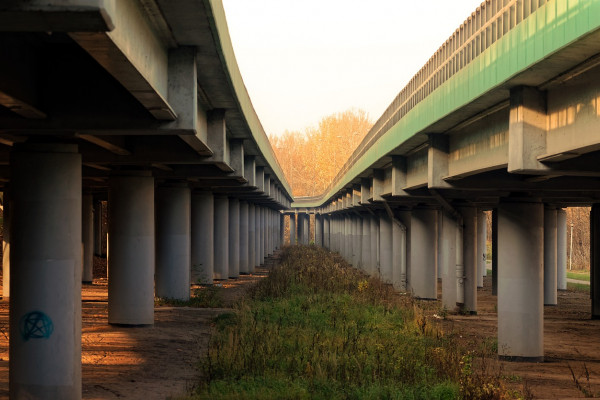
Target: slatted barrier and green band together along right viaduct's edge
pixel 499 40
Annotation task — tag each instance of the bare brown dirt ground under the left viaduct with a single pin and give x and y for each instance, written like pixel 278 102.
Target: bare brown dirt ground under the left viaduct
pixel 138 362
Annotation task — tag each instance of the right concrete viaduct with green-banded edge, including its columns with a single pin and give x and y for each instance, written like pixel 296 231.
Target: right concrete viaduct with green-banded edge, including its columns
pixel 504 117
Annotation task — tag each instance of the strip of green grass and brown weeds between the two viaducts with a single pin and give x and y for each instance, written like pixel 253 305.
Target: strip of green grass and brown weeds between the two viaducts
pixel 318 328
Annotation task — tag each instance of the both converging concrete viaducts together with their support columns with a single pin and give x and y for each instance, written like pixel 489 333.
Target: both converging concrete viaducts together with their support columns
pixel 141 103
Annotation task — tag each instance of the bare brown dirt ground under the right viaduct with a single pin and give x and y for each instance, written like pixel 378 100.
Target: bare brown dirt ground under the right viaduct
pixel 571 340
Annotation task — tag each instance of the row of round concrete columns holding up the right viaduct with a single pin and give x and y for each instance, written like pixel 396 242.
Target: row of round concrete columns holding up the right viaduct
pixel 410 249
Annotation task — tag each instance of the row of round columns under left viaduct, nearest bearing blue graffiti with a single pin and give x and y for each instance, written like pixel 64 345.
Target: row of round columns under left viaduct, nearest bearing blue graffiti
pixel 159 242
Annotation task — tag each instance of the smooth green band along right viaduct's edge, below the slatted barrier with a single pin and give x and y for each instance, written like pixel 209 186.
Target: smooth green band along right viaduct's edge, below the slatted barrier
pixel 552 27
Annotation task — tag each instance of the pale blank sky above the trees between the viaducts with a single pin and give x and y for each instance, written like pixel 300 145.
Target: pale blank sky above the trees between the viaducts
pixel 302 60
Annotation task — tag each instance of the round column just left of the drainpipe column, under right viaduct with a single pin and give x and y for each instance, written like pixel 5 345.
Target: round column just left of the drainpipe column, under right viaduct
pixel 423 264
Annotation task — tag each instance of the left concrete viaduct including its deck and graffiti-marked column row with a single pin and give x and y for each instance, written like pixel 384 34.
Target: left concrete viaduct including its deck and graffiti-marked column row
pixel 141 103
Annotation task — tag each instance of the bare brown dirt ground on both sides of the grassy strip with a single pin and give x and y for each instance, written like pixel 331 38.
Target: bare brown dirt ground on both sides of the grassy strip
pixel 160 361
